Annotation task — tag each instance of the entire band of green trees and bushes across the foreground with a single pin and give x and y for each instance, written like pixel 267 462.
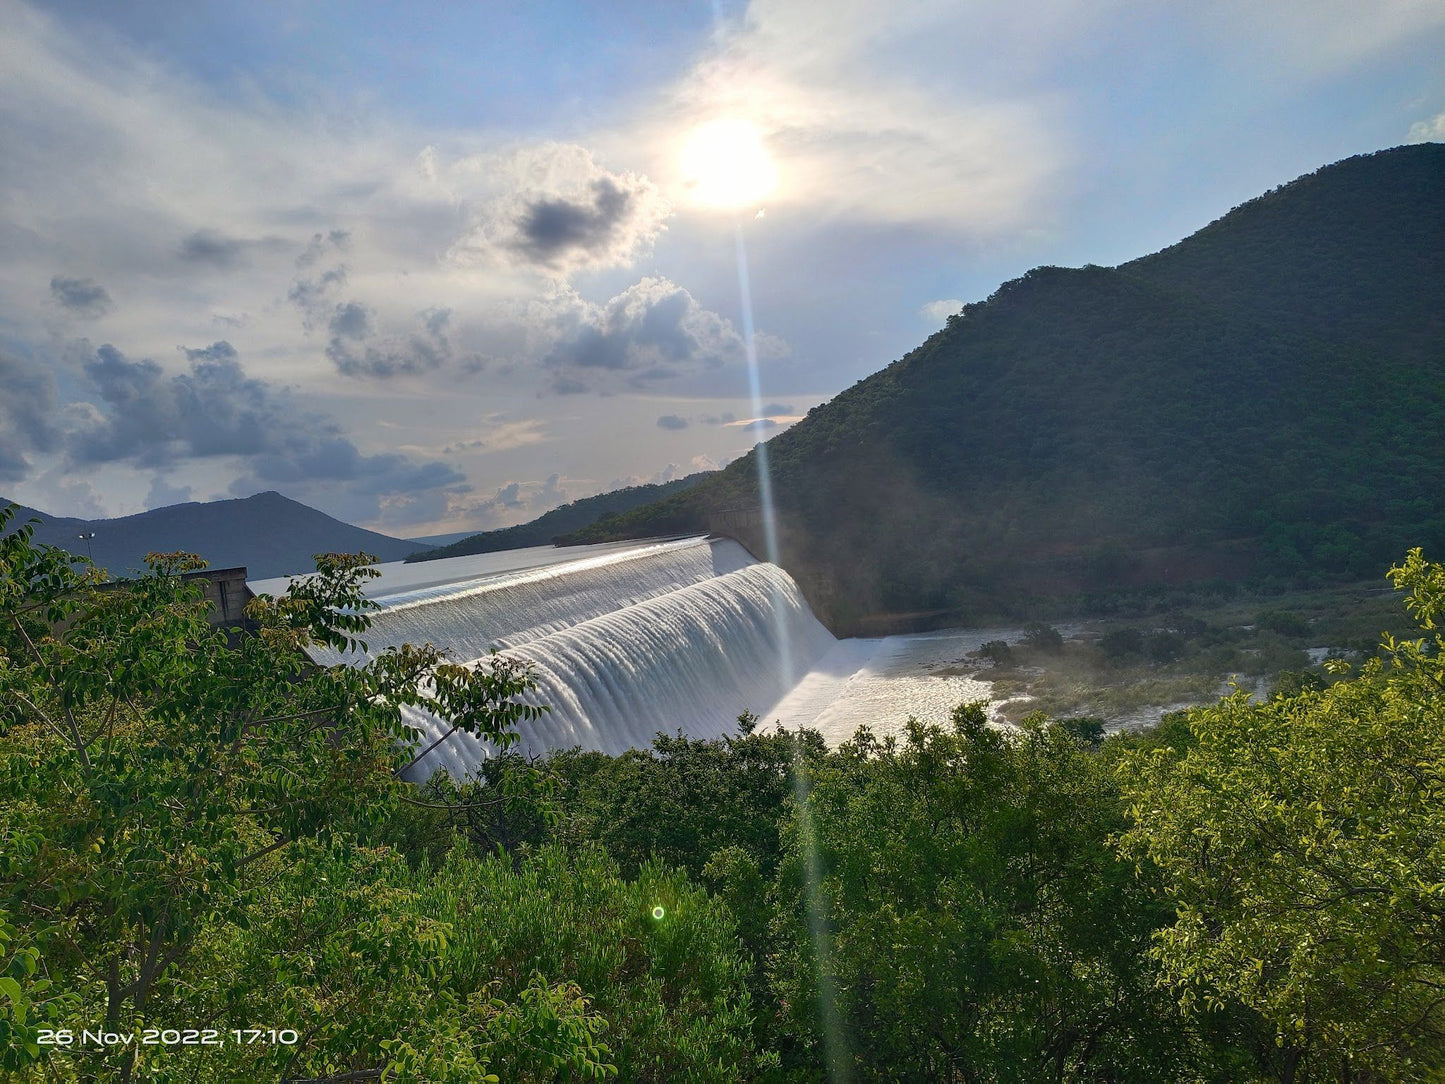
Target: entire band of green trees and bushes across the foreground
pixel 206 833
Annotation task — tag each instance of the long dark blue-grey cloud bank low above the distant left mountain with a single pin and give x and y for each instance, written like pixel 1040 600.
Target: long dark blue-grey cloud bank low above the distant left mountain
pixel 152 420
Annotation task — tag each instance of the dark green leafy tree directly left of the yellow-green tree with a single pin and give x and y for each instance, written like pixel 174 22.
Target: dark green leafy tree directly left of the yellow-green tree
pixel 976 924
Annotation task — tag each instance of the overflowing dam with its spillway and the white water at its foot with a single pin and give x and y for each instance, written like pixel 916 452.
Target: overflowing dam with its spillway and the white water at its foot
pixel 635 638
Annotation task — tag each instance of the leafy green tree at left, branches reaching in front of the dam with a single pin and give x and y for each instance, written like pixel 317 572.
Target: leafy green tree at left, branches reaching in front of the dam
pixel 154 770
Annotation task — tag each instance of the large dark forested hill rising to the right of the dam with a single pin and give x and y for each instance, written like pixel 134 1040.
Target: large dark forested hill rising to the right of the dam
pixel 1262 400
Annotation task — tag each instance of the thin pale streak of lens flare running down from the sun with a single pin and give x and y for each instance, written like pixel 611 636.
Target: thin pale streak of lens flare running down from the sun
pixel 836 1054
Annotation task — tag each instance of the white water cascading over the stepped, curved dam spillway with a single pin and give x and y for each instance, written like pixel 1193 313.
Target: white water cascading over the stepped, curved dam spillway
pixel 664 637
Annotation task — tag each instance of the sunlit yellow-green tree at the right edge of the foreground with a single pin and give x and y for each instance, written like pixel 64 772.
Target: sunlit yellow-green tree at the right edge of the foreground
pixel 1303 843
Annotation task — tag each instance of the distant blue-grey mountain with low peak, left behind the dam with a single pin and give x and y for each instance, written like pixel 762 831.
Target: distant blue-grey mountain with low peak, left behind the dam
pixel 269 534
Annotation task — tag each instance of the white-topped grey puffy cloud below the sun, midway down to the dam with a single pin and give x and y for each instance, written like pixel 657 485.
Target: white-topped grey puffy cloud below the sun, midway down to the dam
pixel 650 333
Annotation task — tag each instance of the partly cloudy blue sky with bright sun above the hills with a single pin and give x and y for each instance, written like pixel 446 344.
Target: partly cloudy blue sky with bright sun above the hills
pixel 444 267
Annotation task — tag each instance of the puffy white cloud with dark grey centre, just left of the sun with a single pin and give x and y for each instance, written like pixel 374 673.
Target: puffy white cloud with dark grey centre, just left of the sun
pixel 564 213
